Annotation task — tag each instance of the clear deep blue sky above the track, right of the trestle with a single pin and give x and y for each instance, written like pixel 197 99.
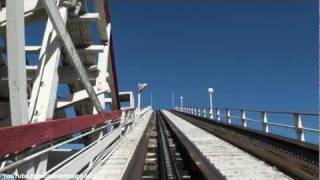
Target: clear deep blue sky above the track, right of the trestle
pixel 258 54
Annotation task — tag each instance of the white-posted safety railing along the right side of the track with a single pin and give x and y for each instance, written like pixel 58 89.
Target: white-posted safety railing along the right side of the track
pixel 230 115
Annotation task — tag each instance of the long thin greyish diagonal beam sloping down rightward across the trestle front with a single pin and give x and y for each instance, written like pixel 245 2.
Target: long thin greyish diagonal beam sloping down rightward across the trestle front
pixel 72 54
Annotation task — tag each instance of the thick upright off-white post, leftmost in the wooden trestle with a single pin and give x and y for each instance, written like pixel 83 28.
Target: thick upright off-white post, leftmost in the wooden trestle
pixel 17 62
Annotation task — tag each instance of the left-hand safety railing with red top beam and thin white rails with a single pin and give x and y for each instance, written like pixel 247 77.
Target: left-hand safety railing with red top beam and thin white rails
pixel 22 144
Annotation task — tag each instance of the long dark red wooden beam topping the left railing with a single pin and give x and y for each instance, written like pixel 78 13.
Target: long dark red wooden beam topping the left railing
pixel 19 138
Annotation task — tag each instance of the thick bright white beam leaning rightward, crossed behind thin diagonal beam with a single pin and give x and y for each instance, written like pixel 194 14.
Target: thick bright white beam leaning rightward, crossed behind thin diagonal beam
pixel 44 91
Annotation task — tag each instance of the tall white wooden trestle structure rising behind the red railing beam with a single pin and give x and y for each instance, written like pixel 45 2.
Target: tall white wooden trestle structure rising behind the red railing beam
pixel 68 57
